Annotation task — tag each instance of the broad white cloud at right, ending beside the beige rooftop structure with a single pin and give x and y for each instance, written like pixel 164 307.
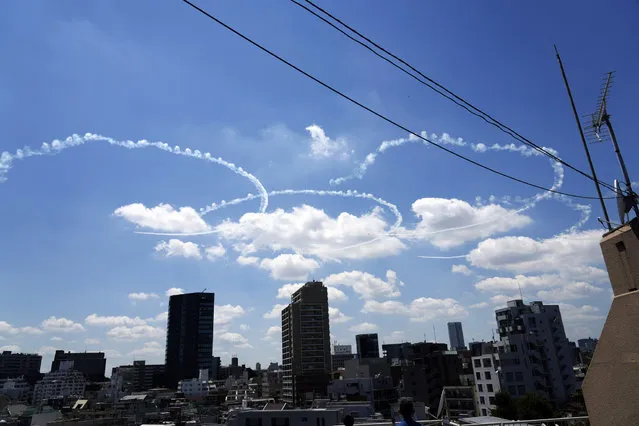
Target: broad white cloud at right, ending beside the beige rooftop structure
pixel 523 254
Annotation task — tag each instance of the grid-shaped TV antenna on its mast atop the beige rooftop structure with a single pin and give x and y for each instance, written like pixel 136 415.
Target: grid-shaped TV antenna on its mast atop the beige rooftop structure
pixel 627 201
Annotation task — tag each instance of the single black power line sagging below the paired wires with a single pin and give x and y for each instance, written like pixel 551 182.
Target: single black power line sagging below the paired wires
pixel 377 114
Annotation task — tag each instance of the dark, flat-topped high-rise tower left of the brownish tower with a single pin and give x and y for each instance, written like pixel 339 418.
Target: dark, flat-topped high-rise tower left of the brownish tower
pixel 189 336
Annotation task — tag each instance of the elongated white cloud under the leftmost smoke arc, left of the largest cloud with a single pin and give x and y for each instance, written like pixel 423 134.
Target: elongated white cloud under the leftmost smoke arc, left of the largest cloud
pixel 163 218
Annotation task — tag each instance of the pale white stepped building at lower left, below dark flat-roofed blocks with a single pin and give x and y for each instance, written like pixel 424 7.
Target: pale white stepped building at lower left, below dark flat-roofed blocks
pixel 63 383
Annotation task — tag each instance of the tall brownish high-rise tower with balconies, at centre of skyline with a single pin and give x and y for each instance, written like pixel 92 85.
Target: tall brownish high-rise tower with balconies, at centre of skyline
pixel 306 350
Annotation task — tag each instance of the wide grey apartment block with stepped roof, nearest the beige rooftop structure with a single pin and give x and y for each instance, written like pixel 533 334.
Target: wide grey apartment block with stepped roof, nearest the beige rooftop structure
pixel 534 353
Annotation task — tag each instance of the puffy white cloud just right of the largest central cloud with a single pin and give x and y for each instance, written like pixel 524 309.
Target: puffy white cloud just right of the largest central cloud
pixel 448 223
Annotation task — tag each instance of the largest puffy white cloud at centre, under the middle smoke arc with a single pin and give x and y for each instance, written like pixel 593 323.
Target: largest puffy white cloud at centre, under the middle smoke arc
pixel 311 232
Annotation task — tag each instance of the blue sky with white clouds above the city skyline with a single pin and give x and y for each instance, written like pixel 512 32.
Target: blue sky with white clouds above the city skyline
pixel 75 273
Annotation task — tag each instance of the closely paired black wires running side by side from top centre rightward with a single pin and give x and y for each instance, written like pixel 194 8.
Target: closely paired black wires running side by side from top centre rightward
pixel 435 86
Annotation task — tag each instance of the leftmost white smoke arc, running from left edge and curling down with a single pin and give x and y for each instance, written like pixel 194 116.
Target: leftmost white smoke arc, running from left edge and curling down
pixel 56 146
